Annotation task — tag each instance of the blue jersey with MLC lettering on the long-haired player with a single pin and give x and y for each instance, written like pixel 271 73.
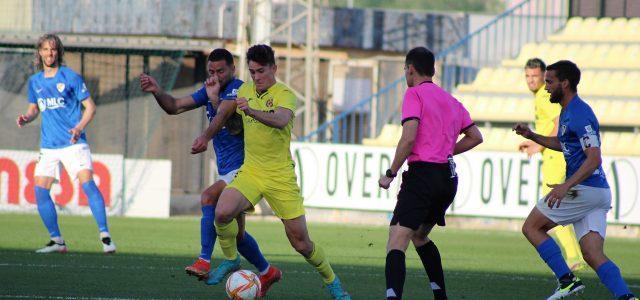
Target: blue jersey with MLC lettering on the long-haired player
pixel 59 99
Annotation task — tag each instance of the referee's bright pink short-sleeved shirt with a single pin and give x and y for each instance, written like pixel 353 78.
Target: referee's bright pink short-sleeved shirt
pixel 442 118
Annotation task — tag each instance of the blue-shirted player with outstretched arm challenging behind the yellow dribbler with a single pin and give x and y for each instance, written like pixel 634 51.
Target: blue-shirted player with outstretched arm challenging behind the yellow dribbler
pixel 225 129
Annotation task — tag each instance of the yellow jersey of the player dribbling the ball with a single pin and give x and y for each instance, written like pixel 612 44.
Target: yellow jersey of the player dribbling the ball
pixel 267 148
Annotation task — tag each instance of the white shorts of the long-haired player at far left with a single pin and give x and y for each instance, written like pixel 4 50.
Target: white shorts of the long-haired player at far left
pixel 74 158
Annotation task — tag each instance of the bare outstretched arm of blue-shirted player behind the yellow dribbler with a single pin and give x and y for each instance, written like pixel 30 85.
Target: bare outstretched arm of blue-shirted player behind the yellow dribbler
pixel 168 103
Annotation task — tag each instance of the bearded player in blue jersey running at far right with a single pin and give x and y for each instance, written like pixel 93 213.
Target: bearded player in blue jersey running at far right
pixel 584 198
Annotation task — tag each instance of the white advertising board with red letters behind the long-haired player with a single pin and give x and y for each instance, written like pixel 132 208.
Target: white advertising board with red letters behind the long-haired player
pixel 147 183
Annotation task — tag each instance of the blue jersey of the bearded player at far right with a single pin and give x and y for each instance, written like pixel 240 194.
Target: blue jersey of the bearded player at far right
pixel 579 130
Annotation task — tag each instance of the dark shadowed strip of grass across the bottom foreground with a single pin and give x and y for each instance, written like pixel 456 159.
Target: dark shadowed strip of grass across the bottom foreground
pixel 94 275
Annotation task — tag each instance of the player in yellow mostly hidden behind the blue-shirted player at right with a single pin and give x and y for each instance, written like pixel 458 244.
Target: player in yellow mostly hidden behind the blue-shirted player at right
pixel 553 164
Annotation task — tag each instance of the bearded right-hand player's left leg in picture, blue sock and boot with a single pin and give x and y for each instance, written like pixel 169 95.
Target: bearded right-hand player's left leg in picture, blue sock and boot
pixel 535 229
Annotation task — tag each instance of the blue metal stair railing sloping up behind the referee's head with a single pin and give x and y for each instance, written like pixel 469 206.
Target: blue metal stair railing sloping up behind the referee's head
pixel 502 37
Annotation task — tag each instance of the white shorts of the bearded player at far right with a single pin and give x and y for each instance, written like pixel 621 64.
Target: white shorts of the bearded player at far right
pixel 587 210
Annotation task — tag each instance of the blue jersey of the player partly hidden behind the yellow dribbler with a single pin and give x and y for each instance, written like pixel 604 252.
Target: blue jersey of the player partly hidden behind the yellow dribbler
pixel 229 148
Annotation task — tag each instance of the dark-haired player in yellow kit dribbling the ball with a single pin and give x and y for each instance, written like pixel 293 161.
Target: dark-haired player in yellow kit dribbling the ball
pixel 267 108
